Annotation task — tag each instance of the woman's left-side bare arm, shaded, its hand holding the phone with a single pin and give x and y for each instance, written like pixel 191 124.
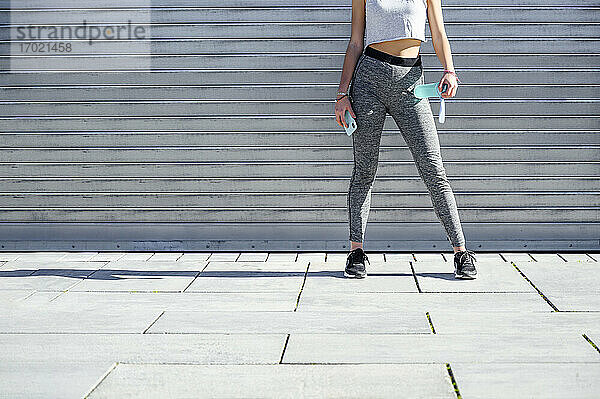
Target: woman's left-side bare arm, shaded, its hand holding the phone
pixel 353 52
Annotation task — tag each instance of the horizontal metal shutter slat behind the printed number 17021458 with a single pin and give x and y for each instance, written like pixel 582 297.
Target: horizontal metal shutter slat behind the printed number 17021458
pixel 490 45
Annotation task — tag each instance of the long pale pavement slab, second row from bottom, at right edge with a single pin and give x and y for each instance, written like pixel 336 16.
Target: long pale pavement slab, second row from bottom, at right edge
pixel 438 348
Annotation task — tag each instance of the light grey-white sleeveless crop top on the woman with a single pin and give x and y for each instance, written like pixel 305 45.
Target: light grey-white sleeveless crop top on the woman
pixel 394 19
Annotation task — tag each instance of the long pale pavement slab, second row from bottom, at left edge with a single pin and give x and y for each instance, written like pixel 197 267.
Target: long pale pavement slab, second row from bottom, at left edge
pixel 23 349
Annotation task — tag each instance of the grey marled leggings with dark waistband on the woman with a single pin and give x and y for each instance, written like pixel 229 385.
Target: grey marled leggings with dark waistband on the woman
pixel 379 87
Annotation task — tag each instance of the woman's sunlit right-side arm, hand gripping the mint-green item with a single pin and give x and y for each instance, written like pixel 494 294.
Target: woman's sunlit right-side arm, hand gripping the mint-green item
pixel 441 45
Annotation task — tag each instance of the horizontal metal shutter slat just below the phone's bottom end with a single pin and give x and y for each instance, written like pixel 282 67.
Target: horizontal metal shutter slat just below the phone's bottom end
pixel 325 138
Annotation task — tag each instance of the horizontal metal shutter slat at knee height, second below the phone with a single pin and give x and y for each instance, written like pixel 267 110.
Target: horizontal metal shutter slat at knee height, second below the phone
pixel 266 153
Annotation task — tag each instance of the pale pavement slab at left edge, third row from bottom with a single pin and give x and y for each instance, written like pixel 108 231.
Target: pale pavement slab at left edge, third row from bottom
pixel 19 319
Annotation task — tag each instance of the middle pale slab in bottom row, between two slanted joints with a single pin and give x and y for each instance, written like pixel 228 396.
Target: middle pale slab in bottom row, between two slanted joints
pixel 276 381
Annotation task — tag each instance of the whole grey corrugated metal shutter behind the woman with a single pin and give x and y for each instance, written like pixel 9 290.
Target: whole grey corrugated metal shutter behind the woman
pixel 229 142
